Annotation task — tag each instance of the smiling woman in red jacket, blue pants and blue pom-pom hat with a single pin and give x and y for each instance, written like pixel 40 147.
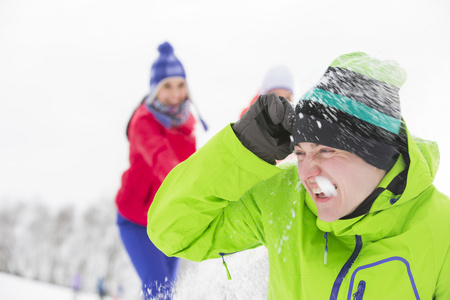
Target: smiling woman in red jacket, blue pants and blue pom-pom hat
pixel 161 135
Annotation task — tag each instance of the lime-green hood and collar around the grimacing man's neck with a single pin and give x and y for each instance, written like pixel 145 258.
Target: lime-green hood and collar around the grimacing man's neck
pixel 418 165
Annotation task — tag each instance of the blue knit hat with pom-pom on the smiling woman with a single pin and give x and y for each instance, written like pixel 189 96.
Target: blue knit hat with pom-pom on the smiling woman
pixel 166 65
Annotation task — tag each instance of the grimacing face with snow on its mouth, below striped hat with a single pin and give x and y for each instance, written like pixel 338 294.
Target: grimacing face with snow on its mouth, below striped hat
pixel 352 178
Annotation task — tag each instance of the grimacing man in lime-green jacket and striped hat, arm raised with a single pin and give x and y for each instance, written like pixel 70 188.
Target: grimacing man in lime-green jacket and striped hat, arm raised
pixel 357 218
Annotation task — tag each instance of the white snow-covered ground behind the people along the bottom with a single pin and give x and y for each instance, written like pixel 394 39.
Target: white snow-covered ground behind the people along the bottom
pixel 205 280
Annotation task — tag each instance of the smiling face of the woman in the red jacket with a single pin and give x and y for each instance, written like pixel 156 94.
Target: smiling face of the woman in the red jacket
pixel 173 92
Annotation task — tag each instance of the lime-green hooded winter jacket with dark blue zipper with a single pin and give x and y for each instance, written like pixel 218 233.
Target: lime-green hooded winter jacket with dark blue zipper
pixel 224 199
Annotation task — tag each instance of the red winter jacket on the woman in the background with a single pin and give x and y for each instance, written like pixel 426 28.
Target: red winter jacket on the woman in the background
pixel 154 152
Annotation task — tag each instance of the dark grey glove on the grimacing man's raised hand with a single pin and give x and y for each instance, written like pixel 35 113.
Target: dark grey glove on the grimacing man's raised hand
pixel 266 127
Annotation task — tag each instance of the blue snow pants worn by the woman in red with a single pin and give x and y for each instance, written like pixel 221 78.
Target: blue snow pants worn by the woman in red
pixel 156 270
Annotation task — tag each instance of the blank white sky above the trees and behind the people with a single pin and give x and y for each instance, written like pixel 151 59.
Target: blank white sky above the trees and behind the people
pixel 71 72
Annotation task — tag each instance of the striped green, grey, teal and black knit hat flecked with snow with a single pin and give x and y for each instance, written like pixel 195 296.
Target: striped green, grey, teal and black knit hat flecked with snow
pixel 355 107
